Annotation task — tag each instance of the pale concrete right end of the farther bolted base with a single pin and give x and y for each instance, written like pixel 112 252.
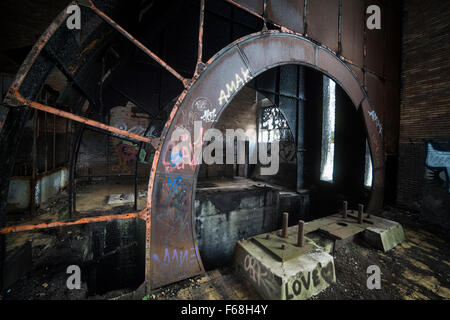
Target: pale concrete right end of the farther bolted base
pixel 384 234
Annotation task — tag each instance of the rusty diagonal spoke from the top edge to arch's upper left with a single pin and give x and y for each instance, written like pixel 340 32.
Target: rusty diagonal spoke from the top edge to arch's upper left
pixel 136 42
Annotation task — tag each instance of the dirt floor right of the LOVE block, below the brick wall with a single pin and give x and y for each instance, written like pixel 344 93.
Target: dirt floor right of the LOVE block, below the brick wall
pixel 419 268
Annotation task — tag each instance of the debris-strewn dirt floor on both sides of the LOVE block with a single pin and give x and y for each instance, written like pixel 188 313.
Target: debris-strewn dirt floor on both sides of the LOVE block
pixel 419 268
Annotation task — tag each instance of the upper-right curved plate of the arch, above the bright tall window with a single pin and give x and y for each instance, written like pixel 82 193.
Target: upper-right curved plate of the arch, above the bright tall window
pixel 339 71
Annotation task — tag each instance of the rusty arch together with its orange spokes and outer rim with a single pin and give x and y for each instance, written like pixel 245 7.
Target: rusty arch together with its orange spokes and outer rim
pixel 243 54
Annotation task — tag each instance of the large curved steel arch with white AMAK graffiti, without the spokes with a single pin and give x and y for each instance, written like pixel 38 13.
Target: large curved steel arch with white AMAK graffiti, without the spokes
pixel 172 253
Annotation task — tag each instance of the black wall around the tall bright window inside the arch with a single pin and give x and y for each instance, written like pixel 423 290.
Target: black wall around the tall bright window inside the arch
pixel 349 159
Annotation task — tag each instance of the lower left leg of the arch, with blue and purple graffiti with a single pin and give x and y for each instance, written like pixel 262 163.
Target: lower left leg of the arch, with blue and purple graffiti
pixel 174 252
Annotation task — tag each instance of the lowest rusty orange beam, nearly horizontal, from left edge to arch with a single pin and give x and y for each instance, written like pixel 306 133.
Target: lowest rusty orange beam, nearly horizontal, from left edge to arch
pixel 34 227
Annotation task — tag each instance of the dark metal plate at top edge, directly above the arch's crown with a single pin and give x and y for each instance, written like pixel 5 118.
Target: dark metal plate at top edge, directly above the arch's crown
pixel 288 13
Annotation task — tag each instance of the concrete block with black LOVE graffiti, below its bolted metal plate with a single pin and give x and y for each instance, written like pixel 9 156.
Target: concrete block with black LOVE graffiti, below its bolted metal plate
pixel 296 279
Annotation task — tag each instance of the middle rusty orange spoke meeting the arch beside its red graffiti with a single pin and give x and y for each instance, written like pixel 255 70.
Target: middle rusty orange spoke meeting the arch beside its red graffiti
pixel 18 99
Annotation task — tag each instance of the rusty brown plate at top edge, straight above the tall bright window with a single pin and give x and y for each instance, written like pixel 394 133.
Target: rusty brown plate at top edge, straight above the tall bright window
pixel 322 22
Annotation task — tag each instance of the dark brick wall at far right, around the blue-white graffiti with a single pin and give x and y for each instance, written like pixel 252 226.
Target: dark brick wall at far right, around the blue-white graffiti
pixel 425 112
